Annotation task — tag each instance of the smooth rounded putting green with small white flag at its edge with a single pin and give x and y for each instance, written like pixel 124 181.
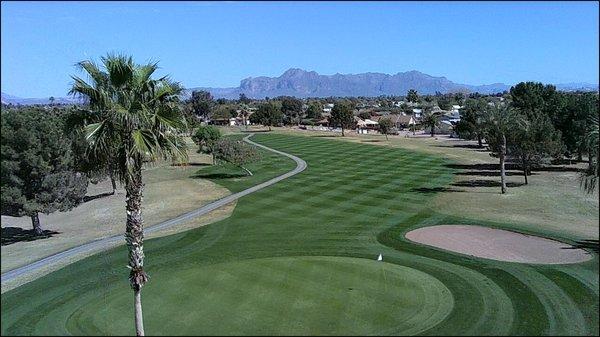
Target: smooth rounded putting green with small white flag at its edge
pixel 282 296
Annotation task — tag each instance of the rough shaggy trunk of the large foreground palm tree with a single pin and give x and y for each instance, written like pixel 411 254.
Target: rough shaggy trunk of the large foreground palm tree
pixel 134 236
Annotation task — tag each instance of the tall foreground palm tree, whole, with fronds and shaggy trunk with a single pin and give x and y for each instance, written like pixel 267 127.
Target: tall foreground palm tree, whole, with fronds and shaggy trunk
pixel 137 119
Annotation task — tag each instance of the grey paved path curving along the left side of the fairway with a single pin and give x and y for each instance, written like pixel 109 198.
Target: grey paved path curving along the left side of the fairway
pixel 108 242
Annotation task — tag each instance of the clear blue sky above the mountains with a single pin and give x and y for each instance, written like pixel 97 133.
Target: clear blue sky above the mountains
pixel 218 44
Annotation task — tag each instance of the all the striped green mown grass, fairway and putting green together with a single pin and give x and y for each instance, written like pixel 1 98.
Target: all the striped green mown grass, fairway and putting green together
pixel 284 261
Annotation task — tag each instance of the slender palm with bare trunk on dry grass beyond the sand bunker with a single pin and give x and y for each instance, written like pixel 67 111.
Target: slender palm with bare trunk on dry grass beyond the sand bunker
pixel 499 122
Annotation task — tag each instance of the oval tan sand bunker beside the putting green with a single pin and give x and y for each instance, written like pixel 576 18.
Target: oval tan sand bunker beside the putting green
pixel 498 244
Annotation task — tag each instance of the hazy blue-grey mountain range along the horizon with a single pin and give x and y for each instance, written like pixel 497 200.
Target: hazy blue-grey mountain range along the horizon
pixel 301 83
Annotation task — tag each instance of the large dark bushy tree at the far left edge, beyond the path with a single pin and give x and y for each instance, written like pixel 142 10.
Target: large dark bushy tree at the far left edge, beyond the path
pixel 37 167
